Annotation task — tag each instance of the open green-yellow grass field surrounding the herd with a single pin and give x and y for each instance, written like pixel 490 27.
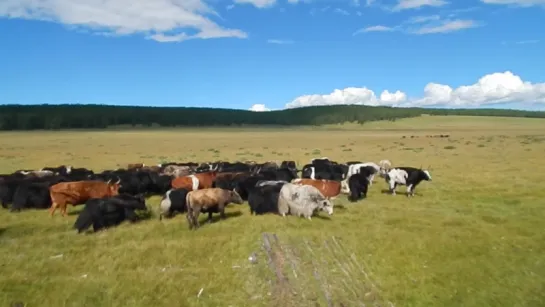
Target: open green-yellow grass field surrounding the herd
pixel 474 236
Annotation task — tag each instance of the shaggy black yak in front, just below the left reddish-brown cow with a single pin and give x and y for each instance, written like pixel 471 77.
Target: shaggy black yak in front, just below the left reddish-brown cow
pixel 109 211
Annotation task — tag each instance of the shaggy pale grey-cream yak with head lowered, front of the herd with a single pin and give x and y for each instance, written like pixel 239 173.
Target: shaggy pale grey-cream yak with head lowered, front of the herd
pixel 302 200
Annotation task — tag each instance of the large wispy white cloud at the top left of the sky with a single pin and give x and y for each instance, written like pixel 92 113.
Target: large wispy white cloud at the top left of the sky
pixel 160 20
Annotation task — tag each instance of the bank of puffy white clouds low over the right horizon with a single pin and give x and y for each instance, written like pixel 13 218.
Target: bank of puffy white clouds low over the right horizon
pixel 495 88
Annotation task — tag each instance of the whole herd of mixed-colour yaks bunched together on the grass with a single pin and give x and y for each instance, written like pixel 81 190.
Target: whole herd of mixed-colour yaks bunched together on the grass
pixel 113 196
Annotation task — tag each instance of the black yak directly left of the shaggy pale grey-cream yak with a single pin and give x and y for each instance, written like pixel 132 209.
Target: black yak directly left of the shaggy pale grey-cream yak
pixel 264 198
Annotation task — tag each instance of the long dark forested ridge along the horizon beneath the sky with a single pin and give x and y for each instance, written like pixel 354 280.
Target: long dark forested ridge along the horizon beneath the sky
pixel 51 117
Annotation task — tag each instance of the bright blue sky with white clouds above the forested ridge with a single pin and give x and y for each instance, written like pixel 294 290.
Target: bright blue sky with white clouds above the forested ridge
pixel 266 55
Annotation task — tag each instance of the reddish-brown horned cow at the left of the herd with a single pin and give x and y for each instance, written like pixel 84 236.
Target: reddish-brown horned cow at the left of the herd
pixel 78 192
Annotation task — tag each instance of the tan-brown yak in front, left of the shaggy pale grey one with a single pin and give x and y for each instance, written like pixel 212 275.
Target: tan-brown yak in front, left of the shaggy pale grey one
pixel 208 200
